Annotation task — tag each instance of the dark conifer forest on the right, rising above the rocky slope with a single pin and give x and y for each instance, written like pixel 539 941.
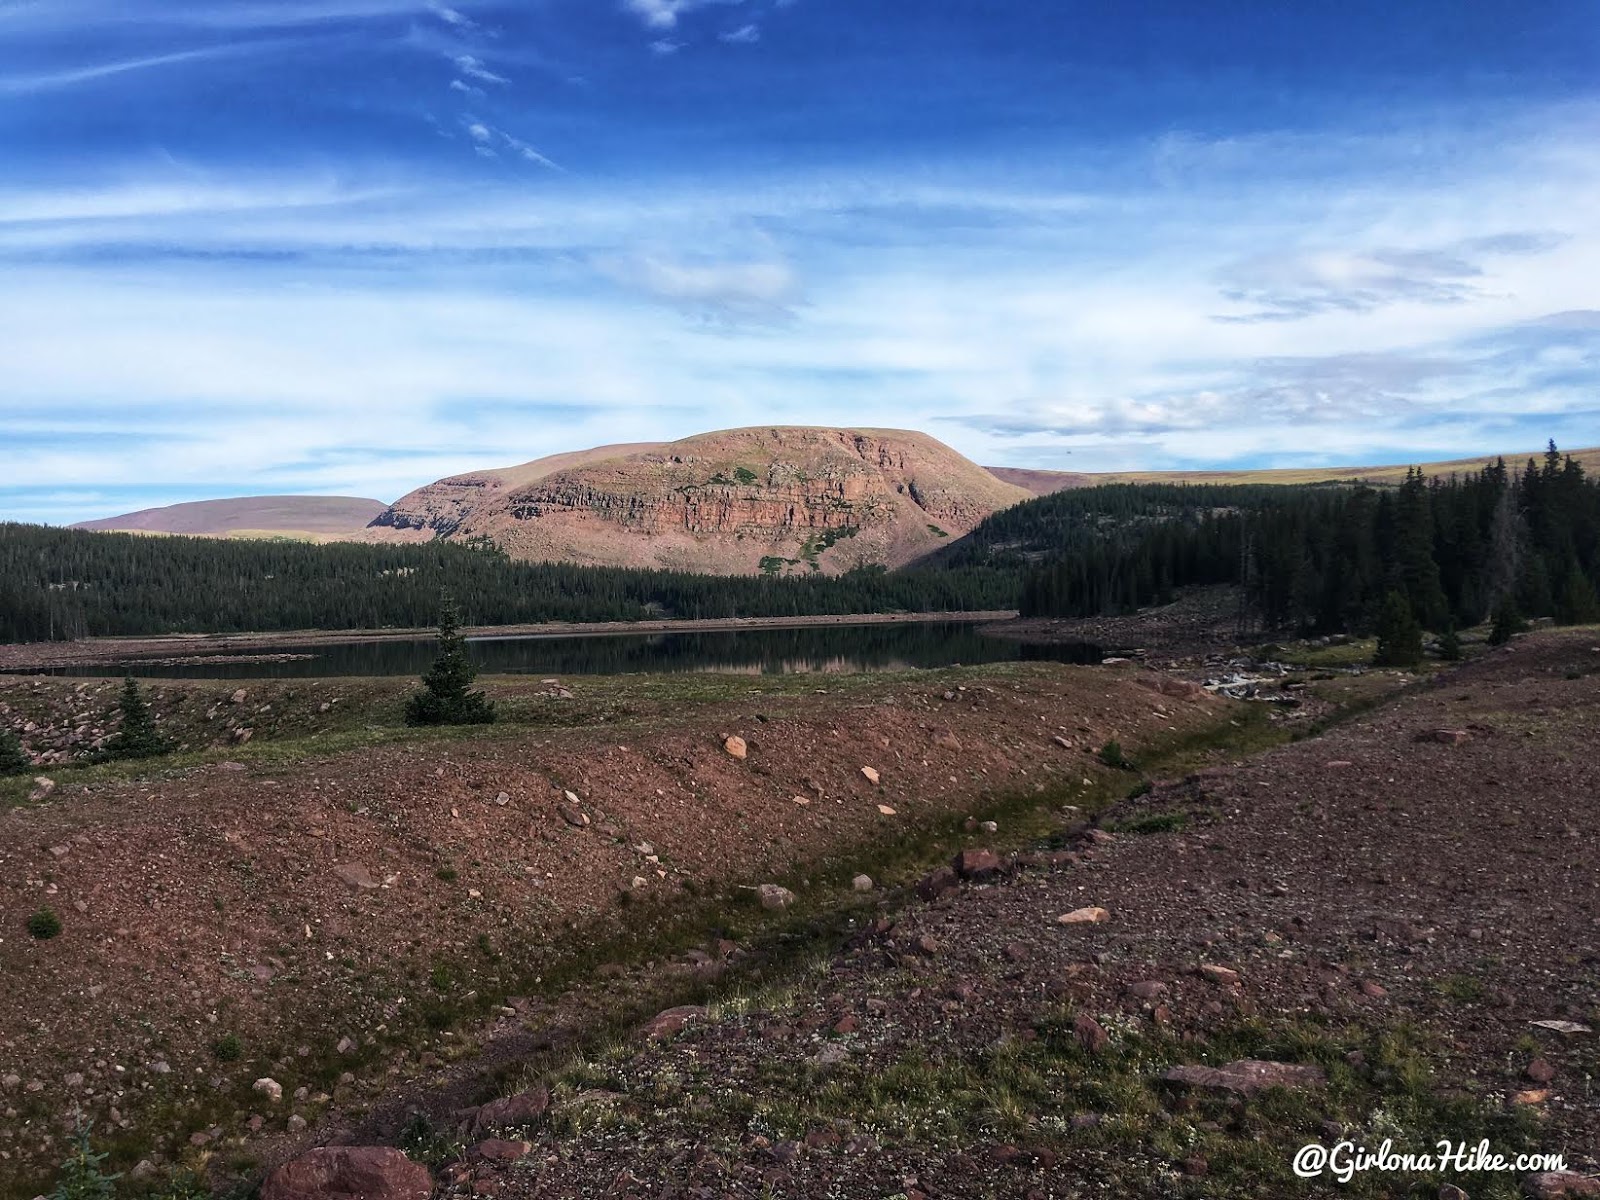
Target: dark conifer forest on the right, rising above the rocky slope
pixel 1313 559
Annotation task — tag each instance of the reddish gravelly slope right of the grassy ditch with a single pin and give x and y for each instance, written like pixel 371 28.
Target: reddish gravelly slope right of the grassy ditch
pixel 1402 914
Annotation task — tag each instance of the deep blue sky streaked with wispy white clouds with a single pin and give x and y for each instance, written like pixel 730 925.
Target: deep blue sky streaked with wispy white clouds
pixel 354 246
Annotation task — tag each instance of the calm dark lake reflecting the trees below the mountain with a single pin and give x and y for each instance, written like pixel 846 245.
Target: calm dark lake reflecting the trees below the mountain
pixel 753 652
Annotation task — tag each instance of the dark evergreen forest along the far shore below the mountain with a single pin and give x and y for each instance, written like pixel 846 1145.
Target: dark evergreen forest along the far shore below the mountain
pixel 62 585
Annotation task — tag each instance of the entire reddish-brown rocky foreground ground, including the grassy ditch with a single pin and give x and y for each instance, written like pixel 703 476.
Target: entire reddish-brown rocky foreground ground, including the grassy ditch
pixel 1383 913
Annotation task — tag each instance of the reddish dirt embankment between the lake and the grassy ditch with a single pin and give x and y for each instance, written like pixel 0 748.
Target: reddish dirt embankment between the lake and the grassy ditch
pixel 321 916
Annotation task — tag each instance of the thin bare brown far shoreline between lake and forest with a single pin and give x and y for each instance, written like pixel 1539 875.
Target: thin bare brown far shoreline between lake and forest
pixel 119 650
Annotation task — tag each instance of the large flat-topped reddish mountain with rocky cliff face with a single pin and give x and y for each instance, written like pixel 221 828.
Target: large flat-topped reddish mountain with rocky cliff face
pixel 777 500
